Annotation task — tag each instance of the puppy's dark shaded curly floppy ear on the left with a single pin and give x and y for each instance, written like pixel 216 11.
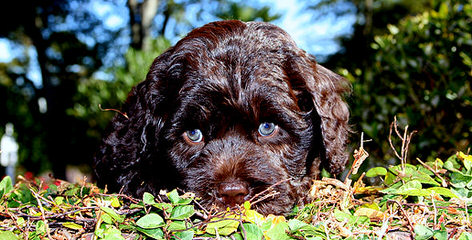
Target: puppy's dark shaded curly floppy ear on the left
pixel 127 152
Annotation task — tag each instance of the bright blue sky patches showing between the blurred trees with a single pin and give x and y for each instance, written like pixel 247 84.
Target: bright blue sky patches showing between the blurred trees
pixel 317 37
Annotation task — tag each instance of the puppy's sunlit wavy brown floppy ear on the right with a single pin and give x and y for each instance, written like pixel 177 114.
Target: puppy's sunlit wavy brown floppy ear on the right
pixel 327 90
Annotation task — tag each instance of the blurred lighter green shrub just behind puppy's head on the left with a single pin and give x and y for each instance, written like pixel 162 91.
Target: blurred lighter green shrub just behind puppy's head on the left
pixel 110 94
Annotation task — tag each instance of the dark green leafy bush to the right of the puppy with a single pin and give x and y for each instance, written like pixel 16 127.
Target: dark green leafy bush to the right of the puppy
pixel 421 71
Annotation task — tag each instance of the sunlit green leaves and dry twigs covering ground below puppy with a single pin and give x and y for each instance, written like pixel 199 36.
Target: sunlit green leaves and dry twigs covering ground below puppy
pixel 410 202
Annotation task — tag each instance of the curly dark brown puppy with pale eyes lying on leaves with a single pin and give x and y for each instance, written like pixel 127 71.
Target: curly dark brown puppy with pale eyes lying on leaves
pixel 234 111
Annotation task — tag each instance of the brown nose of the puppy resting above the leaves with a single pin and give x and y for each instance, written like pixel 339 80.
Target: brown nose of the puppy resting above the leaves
pixel 232 193
